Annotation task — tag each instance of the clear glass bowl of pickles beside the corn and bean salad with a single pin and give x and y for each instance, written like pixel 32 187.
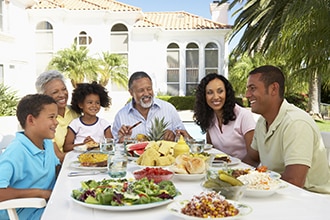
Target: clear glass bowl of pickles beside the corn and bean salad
pixel 228 186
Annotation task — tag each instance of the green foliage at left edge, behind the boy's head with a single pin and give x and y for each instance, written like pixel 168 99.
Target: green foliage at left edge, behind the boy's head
pixel 8 101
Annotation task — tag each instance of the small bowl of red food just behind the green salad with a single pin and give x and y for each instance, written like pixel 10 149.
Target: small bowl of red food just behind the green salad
pixel 157 174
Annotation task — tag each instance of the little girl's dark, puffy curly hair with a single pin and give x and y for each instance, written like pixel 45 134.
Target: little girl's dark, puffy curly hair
pixel 83 89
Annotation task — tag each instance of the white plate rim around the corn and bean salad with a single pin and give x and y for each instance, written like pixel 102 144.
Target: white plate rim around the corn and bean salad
pixel 175 209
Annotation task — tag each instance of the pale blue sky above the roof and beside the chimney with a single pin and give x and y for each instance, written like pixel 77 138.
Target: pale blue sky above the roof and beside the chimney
pixel 197 7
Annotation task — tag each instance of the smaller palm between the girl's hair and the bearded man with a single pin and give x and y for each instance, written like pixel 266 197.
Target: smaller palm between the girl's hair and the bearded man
pixel 113 68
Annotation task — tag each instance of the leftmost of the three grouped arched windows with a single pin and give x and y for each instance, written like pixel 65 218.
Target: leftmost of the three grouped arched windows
pixel 173 69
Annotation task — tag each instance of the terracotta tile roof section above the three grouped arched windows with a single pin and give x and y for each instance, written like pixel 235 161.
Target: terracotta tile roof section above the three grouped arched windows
pixel 178 21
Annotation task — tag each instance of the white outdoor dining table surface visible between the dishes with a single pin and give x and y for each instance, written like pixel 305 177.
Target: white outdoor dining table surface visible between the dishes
pixel 289 202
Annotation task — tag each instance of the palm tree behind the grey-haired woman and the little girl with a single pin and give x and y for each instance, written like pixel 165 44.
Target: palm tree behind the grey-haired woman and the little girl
pixel 75 64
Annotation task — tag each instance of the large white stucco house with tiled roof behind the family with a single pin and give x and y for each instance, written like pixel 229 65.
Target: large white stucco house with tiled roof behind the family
pixel 176 48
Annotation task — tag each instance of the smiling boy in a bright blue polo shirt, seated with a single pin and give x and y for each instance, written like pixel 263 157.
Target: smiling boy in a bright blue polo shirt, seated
pixel 28 165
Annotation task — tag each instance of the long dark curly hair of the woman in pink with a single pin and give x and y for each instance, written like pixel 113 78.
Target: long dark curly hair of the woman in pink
pixel 203 113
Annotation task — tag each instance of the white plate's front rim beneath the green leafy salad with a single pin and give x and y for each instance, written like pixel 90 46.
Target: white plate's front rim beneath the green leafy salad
pixel 123 208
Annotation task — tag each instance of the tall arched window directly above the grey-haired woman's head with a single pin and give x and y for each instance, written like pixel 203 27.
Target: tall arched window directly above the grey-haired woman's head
pixel 44 45
